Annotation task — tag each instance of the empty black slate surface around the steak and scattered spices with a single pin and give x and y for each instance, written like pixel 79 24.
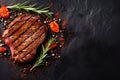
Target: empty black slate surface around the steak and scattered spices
pixel 92 49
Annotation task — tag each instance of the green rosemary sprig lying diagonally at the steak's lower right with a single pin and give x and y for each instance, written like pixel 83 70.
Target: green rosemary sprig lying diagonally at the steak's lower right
pixel 43 55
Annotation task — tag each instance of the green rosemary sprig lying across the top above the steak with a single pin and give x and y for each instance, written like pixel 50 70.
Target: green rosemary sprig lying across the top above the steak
pixel 33 8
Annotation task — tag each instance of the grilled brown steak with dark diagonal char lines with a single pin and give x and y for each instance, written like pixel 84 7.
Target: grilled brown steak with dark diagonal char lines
pixel 23 35
